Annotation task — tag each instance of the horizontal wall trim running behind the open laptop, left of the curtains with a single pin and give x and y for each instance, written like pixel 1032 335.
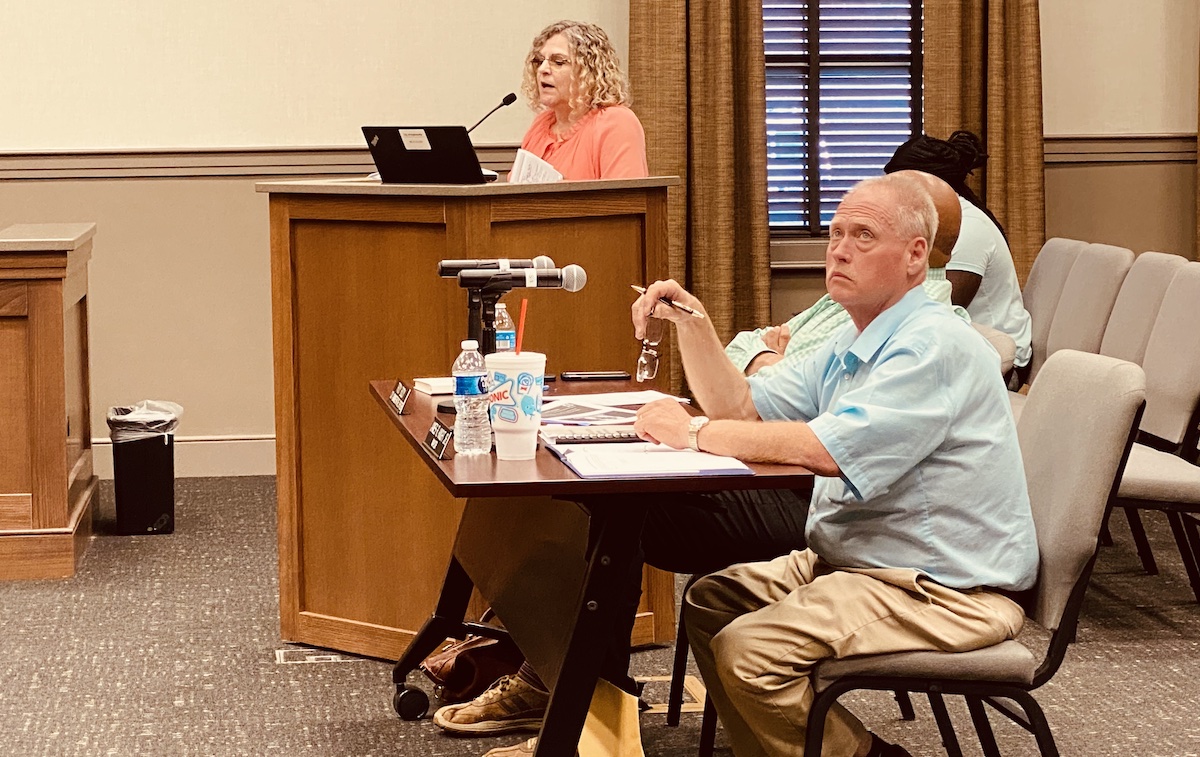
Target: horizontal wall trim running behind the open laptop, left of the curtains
pixel 237 163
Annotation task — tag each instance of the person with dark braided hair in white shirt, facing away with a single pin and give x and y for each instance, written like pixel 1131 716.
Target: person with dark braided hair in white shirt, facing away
pixel 981 269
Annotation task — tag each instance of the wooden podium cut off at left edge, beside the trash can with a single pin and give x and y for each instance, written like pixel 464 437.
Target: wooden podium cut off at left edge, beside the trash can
pixel 47 486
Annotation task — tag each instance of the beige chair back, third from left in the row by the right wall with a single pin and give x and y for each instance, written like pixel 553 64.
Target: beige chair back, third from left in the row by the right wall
pixel 1137 308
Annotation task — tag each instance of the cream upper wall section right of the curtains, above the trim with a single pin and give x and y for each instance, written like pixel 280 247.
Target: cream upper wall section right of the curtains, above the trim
pixel 1120 67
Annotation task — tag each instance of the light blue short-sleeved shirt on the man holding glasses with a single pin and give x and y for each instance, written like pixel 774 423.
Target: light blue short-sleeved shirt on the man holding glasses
pixel 916 416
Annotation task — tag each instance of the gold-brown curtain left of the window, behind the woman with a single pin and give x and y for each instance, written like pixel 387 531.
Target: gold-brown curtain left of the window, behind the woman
pixel 699 81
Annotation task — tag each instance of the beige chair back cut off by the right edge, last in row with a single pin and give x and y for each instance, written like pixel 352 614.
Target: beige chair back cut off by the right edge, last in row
pixel 1173 359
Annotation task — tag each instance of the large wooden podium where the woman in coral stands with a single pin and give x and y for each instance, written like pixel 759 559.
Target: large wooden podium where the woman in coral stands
pixel 365 530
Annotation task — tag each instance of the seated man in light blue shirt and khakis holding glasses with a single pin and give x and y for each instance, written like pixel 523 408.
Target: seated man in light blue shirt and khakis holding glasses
pixel 920 524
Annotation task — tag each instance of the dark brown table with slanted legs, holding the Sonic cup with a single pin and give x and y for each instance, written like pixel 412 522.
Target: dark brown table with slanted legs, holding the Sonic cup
pixel 560 638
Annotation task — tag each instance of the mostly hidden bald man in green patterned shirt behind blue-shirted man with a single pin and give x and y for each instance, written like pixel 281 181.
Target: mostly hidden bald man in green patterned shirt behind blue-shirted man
pixel 772 350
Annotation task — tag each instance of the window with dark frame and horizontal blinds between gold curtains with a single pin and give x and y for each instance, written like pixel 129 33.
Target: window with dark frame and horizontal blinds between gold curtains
pixel 843 94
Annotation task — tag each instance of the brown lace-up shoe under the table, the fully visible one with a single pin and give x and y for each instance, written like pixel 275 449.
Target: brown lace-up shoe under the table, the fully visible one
pixel 509 705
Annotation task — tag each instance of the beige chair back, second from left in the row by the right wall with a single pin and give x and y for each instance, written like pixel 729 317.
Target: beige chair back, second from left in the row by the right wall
pixel 1088 299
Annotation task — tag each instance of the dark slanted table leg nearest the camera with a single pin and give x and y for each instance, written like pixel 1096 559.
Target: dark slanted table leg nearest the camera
pixel 615 546
